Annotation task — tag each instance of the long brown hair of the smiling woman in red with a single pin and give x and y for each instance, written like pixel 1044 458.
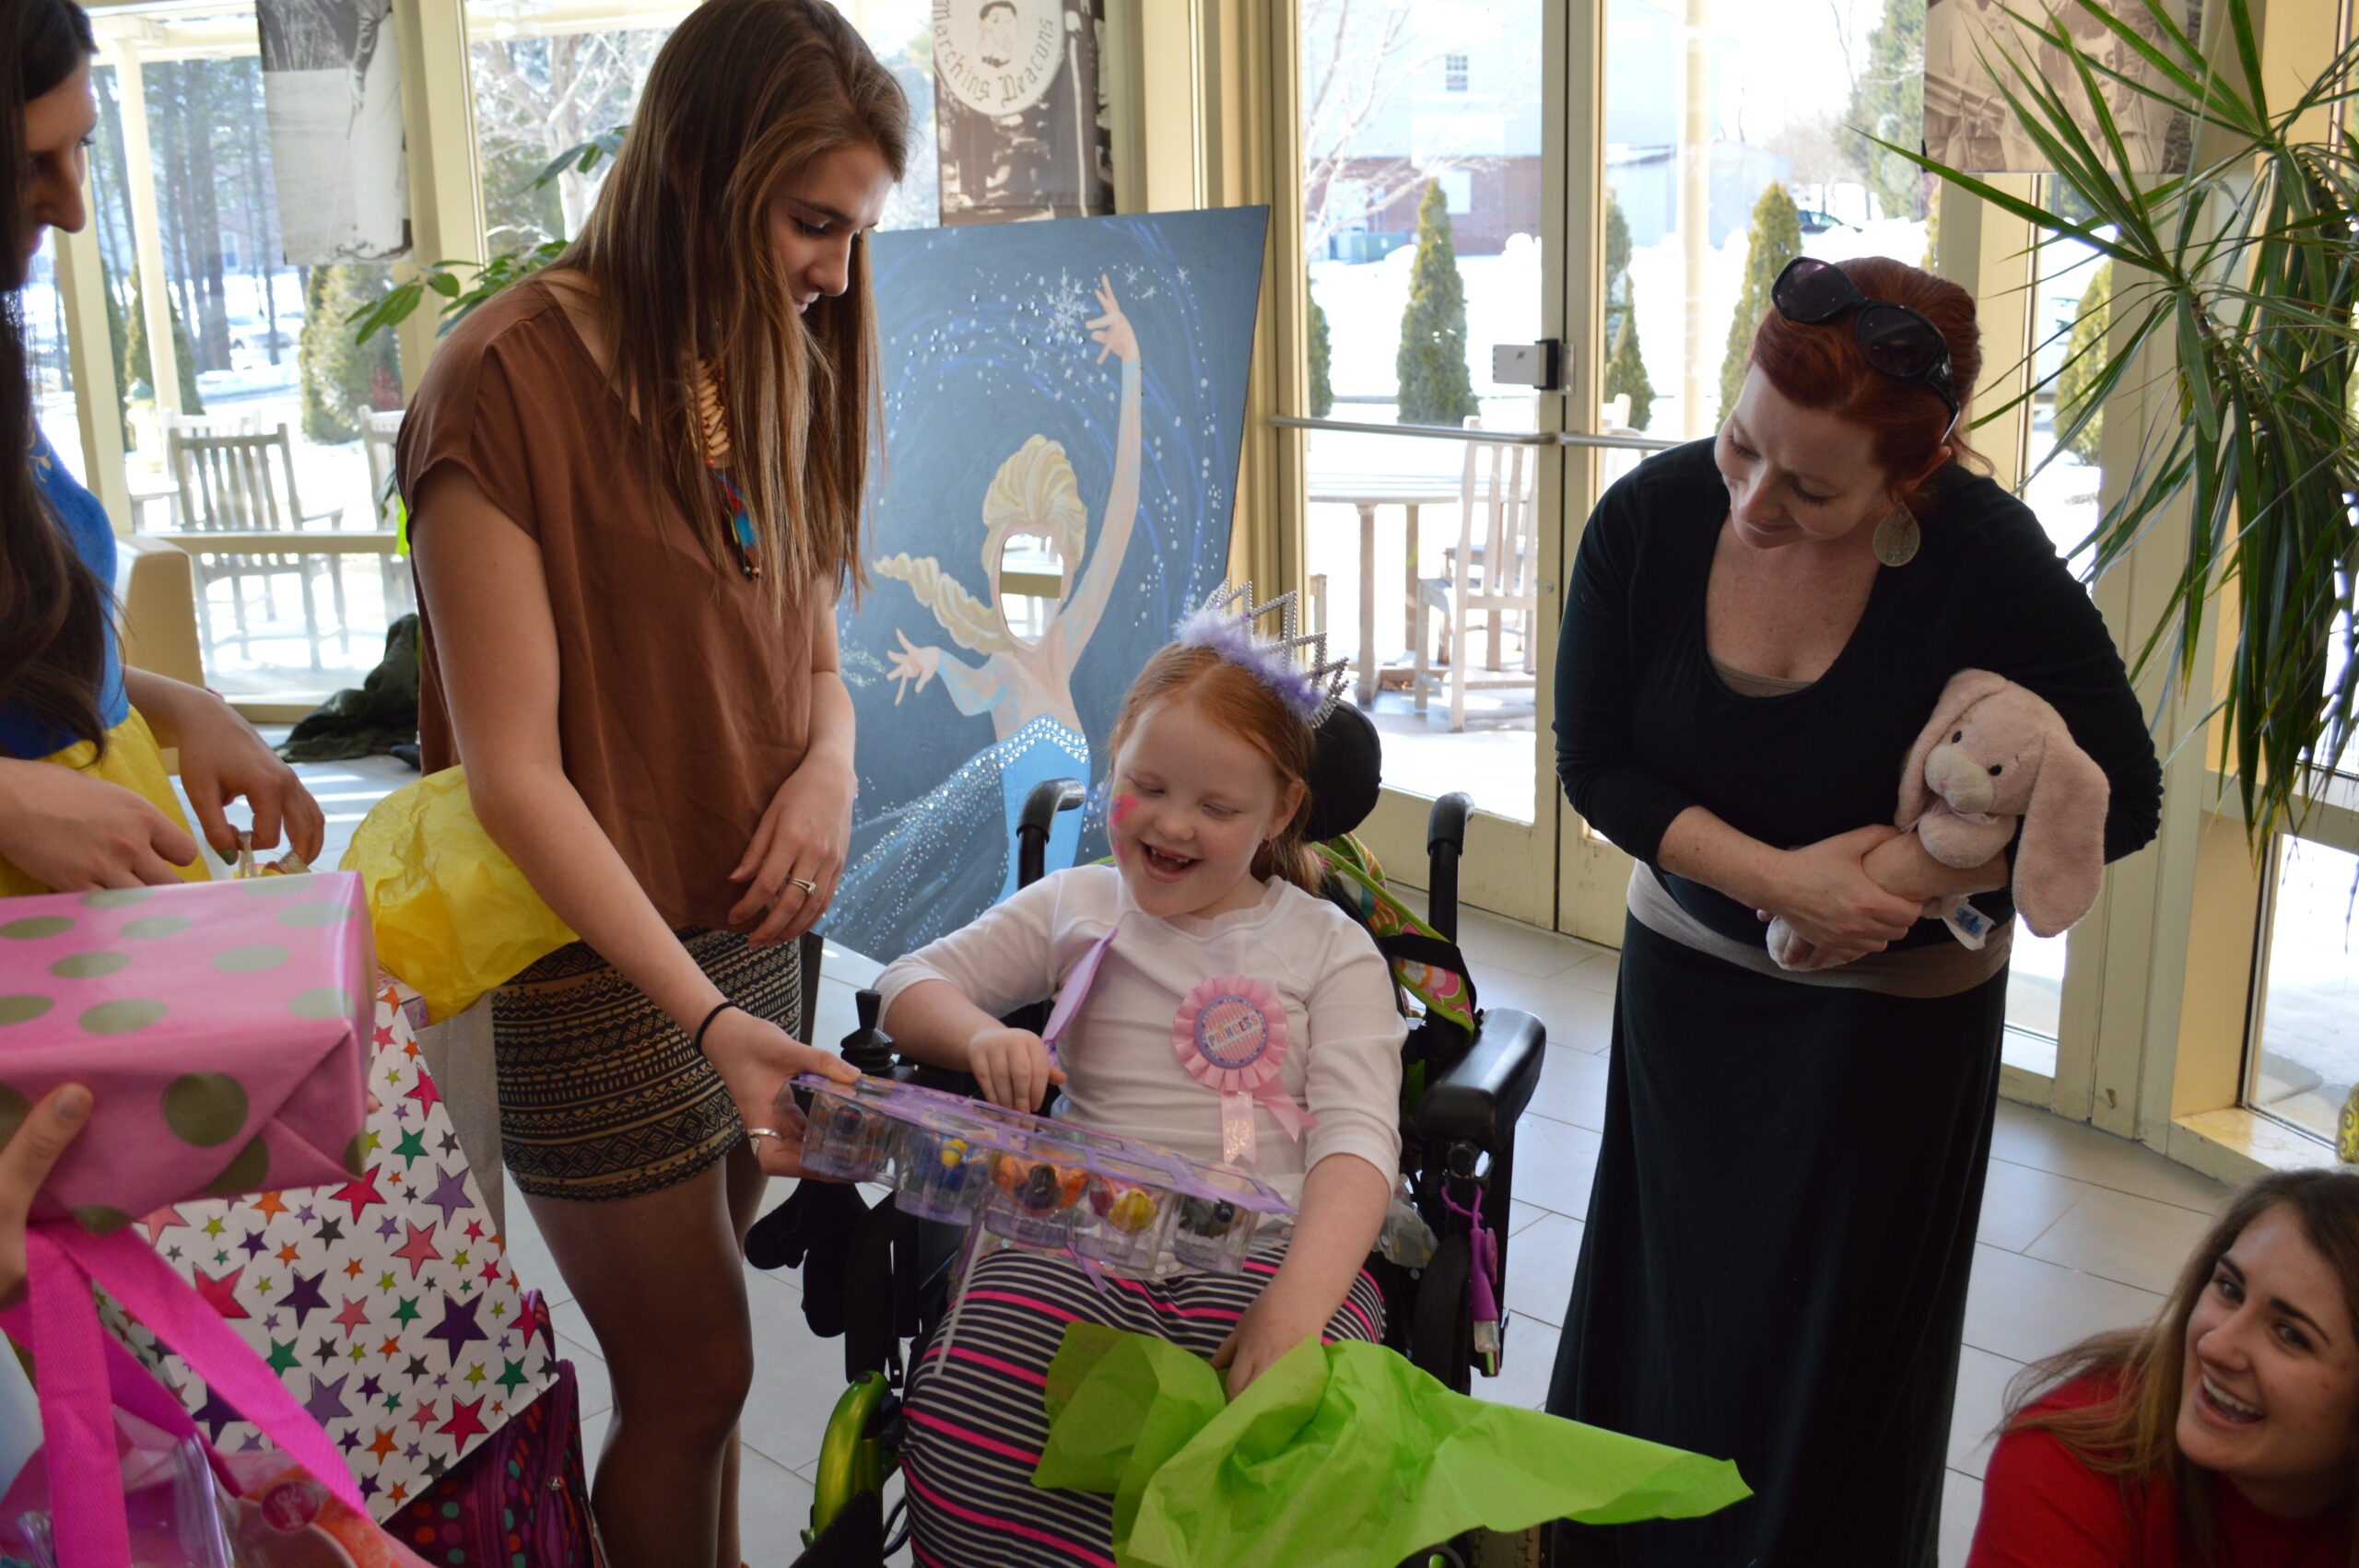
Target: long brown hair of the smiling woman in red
pixel 2134 1432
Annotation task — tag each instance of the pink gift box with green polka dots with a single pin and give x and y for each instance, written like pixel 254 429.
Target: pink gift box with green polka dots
pixel 221 1027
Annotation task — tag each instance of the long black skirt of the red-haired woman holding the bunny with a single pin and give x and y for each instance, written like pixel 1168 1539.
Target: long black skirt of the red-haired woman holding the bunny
pixel 1778 1253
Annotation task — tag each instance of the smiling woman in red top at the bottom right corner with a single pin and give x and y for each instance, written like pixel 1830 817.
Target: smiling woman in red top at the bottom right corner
pixel 2226 1435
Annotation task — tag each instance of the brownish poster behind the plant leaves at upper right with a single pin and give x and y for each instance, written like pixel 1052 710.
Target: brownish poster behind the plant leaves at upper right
pixel 1969 124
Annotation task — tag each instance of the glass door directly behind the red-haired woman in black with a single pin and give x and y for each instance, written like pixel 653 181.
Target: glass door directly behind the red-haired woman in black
pixel 1714 154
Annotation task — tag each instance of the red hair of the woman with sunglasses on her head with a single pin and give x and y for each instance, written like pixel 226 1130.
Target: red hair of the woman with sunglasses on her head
pixel 1820 367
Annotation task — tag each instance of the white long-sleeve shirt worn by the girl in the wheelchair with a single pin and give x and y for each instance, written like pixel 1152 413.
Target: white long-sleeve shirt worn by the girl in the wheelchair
pixel 1124 1076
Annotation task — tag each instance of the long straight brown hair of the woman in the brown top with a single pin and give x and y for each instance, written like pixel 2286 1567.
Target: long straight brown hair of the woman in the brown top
pixel 688 275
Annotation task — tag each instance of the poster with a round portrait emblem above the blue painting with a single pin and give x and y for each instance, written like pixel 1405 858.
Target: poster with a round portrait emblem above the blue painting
pixel 1018 110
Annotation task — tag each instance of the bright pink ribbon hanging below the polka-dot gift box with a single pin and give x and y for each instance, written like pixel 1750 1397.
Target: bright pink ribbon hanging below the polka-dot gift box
pixel 81 1376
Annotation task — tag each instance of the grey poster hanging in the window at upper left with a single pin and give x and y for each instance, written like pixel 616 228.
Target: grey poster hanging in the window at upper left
pixel 331 88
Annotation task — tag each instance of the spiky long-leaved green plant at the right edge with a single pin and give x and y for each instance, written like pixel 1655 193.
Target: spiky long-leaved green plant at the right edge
pixel 2247 265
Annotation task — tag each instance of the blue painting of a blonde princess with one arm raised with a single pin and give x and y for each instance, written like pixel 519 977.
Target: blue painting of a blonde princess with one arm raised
pixel 1079 390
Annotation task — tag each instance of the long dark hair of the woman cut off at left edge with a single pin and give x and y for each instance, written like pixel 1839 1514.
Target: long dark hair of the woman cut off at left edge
pixel 53 610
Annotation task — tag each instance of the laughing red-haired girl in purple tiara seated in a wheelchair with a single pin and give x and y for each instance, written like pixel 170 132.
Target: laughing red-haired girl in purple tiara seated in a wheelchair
pixel 1294 1074
